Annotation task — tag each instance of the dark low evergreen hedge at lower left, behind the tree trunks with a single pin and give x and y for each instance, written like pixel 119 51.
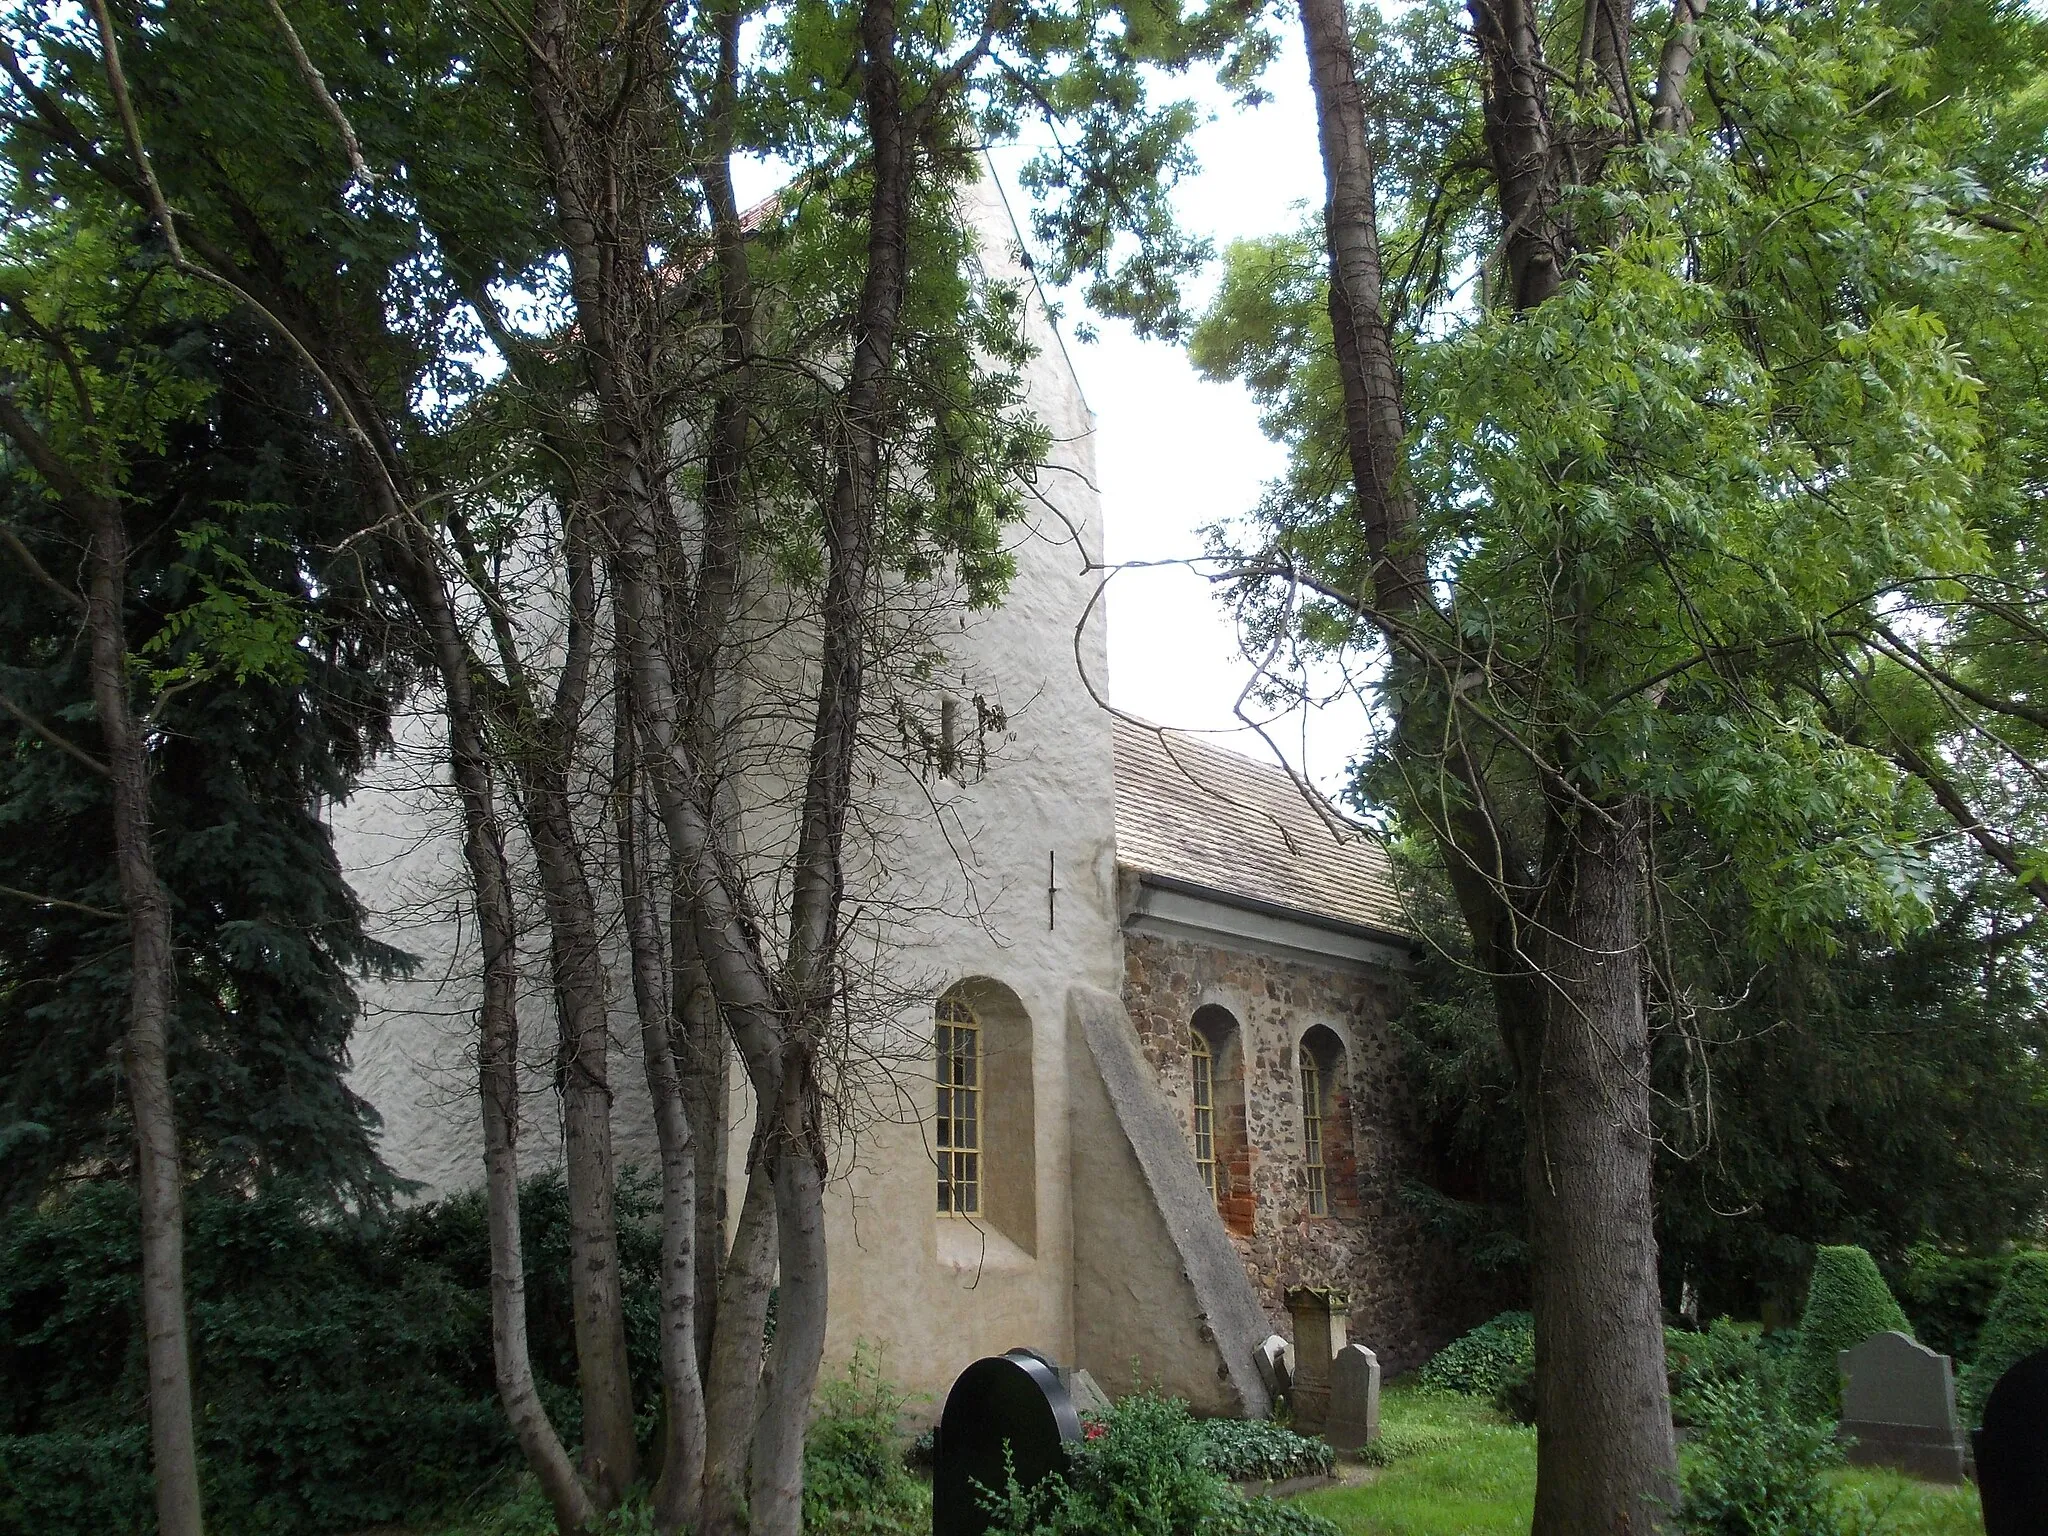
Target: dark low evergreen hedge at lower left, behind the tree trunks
pixel 345 1363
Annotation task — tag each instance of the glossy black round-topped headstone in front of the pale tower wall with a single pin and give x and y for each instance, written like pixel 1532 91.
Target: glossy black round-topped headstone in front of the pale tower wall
pixel 1013 1400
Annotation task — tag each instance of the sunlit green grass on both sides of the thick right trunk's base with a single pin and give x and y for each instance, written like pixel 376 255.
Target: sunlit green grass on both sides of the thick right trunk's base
pixel 1459 1469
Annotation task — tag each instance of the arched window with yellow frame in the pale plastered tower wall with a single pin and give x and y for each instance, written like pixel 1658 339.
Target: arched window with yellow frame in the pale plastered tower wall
pixel 986 1138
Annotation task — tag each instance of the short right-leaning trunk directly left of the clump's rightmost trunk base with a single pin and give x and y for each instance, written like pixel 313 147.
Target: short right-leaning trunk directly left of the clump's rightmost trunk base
pixel 736 1359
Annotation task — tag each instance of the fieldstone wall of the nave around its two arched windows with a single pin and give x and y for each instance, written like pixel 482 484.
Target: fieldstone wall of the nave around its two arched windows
pixel 1408 1291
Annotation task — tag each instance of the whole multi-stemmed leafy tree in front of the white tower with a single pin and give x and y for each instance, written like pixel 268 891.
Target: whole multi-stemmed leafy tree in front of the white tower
pixel 822 398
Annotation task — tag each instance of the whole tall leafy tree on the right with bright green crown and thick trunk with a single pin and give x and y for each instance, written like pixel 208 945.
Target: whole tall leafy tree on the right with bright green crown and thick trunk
pixel 1623 407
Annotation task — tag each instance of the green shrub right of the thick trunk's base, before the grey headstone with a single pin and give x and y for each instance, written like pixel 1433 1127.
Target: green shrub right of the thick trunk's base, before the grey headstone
pixel 1756 1471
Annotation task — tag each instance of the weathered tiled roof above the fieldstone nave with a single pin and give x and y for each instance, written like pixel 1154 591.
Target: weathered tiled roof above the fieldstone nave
pixel 1189 810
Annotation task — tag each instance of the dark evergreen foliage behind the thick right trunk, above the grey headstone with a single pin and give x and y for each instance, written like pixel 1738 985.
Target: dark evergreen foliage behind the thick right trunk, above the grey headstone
pixel 1885 1097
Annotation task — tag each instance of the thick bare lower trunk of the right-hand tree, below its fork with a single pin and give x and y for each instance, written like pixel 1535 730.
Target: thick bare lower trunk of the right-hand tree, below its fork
pixel 1605 1453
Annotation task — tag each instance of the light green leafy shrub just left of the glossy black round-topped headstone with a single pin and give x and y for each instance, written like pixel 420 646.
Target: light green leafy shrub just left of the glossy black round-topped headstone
pixel 855 1480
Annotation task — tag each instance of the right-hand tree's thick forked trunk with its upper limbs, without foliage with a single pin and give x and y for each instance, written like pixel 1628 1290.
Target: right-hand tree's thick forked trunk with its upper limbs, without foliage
pixel 1572 1002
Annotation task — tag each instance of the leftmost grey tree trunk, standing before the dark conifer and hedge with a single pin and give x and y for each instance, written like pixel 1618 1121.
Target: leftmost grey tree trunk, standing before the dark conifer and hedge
pixel 161 1164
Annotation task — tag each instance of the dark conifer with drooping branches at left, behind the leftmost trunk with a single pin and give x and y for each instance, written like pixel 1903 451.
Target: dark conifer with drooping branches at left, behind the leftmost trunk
pixel 267 931
